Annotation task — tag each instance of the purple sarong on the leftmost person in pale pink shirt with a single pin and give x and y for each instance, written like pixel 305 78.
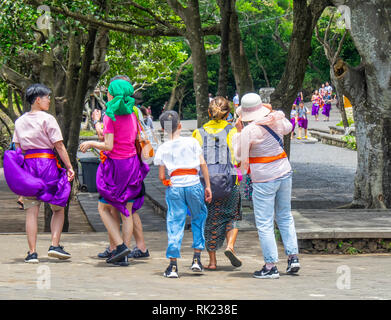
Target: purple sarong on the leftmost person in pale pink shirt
pixel 36 177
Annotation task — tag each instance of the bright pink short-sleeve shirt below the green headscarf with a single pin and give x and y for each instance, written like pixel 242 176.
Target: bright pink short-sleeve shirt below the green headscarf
pixel 125 133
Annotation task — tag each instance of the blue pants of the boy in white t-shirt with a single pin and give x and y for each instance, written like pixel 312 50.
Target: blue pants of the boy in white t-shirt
pixel 178 200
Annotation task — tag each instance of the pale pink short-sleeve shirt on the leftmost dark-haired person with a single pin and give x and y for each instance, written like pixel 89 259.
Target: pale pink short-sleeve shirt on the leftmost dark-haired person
pixel 38 130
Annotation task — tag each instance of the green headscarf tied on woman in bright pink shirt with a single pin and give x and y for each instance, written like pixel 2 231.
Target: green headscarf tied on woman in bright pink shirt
pixel 122 103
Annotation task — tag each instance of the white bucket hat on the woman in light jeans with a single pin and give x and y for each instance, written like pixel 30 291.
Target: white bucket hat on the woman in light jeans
pixel 251 108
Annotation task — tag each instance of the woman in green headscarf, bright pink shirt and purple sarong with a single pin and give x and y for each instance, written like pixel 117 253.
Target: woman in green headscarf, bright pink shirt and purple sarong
pixel 121 173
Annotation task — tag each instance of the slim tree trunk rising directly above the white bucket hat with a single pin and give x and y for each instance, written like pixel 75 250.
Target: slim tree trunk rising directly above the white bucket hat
pixel 239 62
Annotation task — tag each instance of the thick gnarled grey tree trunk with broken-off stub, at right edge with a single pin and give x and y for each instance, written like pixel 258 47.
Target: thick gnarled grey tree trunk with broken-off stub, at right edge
pixel 368 87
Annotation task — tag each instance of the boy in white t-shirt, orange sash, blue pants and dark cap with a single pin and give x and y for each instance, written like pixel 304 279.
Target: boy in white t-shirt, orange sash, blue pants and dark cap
pixel 182 157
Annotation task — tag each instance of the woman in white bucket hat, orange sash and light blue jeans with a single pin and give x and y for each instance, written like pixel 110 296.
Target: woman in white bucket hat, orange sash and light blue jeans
pixel 258 144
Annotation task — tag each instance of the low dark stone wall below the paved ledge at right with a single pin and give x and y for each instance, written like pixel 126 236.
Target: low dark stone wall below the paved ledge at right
pixel 344 246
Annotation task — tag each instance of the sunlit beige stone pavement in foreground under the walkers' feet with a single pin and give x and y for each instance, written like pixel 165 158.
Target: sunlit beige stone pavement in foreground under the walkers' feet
pixel 84 276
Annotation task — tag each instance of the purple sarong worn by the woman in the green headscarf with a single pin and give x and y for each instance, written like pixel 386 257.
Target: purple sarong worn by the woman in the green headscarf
pixel 121 180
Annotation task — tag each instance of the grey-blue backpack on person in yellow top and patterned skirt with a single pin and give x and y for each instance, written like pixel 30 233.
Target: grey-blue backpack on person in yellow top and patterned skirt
pixel 222 173
